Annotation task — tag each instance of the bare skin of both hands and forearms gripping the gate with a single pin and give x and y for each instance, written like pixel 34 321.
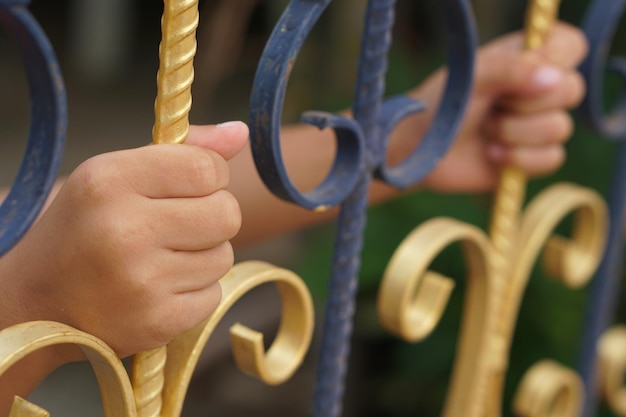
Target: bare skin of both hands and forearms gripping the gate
pixel 137 266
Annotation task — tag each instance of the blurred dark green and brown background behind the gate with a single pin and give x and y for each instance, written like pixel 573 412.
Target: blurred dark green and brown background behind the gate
pixel 109 58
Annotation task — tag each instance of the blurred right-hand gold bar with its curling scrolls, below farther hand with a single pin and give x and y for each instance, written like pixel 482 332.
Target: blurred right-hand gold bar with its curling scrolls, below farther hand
pixel 412 298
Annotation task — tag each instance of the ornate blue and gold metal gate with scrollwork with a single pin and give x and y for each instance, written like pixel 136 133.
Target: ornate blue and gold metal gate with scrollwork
pixel 412 298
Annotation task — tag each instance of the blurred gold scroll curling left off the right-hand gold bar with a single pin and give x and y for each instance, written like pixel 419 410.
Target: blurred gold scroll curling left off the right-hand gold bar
pixel 412 300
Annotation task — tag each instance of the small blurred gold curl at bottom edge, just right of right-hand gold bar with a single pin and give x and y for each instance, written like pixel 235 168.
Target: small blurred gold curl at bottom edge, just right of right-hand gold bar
pixel 549 389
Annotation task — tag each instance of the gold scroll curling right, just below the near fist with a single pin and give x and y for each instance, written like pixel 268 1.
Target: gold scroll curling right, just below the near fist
pixel 276 365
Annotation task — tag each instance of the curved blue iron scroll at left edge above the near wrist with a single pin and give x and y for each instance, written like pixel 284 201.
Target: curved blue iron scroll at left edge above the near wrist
pixel 48 125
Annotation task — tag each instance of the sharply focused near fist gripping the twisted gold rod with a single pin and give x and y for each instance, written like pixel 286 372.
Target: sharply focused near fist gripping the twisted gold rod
pixel 132 247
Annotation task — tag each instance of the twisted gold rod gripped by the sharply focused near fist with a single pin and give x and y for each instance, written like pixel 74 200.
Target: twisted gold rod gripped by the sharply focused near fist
pixel 172 106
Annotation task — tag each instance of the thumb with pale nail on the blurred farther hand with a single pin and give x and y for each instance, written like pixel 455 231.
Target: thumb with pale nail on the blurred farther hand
pixel 502 72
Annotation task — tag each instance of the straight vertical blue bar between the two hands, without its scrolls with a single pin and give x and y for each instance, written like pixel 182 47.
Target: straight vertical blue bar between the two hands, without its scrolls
pixel 341 304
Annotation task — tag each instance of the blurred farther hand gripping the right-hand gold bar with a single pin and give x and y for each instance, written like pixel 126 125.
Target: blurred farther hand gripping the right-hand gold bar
pixel 517 113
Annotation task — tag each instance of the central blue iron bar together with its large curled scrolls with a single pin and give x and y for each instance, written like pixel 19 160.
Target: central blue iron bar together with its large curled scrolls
pixel 361 144
